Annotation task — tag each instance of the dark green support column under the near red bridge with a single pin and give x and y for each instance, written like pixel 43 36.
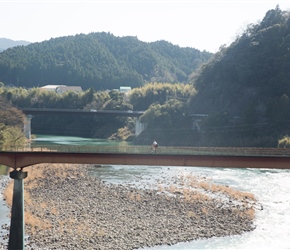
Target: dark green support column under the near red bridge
pixel 16 236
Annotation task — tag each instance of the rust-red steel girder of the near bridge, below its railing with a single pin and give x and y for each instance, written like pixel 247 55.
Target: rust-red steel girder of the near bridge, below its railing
pixel 17 160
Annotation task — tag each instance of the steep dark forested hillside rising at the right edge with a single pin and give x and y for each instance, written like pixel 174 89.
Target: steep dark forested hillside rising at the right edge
pixel 245 88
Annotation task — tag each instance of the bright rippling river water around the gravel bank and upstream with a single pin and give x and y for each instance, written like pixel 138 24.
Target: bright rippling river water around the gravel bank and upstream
pixel 270 187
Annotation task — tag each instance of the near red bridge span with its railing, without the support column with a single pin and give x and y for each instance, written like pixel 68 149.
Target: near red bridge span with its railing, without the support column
pixel 140 155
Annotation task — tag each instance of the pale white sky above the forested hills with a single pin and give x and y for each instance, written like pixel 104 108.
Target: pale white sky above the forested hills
pixel 200 24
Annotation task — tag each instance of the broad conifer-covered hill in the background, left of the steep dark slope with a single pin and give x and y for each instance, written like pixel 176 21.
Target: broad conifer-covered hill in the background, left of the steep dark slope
pixel 98 60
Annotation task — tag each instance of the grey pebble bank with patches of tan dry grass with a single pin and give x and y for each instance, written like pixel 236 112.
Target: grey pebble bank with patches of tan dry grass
pixel 65 208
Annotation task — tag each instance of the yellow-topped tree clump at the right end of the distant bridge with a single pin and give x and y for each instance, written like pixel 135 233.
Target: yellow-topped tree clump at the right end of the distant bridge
pixel 167 116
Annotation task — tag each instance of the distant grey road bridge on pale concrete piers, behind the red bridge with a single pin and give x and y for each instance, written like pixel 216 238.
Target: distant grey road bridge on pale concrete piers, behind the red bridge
pixel 29 112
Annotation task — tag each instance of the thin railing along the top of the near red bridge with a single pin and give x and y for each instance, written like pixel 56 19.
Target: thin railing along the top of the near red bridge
pixel 243 151
